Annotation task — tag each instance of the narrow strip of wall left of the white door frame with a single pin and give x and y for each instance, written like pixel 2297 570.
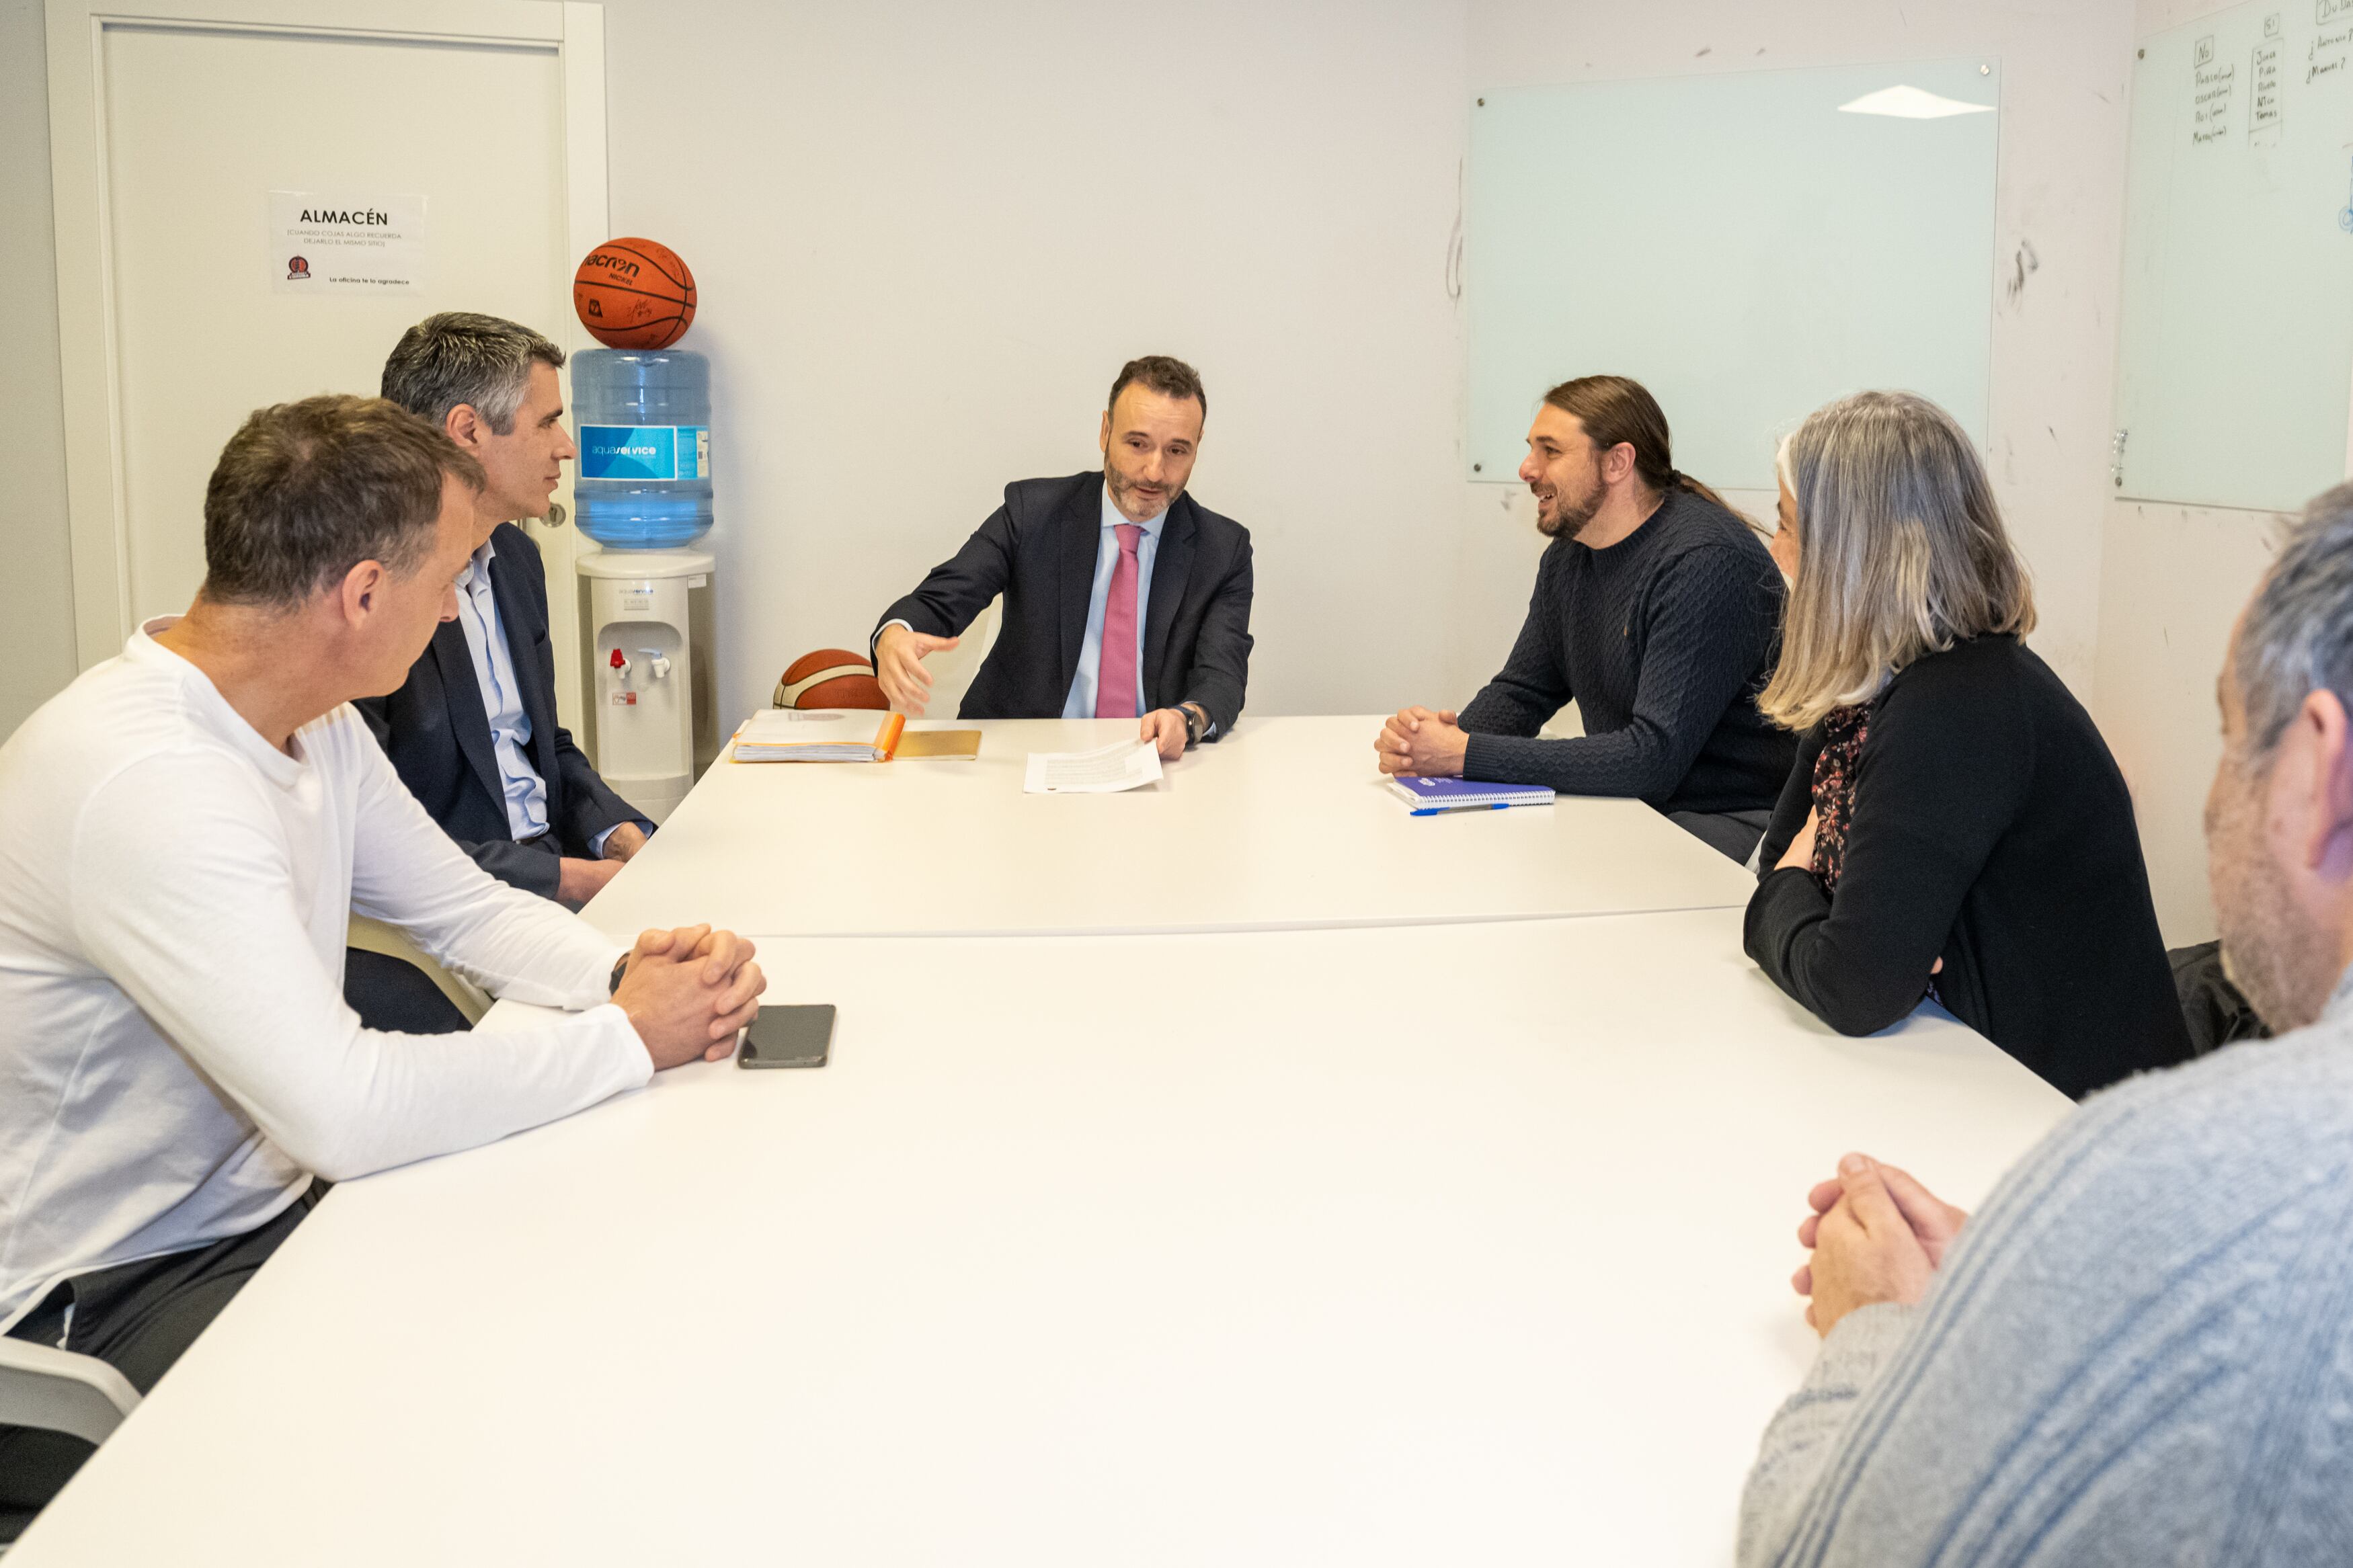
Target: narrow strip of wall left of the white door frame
pixel 36 629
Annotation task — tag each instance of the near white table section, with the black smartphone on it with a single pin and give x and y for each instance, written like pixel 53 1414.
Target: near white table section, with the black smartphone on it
pixel 1418 1245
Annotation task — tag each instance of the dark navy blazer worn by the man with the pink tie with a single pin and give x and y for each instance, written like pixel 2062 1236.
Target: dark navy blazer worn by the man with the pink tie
pixel 1039 551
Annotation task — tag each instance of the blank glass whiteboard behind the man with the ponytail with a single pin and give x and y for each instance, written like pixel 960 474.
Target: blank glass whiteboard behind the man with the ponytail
pixel 1745 246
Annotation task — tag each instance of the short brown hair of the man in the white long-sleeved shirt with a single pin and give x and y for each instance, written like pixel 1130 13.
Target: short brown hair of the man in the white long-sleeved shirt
pixel 309 490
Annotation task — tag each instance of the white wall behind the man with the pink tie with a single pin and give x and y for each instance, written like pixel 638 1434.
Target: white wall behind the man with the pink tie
pixel 926 239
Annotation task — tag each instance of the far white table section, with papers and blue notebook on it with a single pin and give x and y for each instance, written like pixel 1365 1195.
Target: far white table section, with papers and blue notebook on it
pixel 1284 824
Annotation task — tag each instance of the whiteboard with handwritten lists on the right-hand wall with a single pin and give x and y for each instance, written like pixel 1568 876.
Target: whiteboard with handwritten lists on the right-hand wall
pixel 2237 340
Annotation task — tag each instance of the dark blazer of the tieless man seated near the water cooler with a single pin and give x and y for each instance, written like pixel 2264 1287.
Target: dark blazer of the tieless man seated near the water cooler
pixel 436 732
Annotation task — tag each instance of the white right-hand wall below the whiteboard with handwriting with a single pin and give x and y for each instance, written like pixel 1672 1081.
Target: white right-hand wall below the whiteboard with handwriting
pixel 2173 582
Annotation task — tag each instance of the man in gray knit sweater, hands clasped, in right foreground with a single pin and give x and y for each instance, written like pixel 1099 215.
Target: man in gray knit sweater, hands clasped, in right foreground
pixel 2140 1351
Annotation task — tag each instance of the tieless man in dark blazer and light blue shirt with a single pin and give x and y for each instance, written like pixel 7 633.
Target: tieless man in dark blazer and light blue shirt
pixel 474 730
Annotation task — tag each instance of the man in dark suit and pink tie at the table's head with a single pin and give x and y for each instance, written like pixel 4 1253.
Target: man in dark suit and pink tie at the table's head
pixel 1124 596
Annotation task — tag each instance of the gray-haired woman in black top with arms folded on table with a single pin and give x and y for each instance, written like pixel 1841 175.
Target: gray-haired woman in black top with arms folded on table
pixel 1954 829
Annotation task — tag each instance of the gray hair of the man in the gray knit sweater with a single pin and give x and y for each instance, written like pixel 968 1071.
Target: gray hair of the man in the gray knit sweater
pixel 2300 629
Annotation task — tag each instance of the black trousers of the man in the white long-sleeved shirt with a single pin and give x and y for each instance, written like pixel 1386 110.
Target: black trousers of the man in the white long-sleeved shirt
pixel 138 1318
